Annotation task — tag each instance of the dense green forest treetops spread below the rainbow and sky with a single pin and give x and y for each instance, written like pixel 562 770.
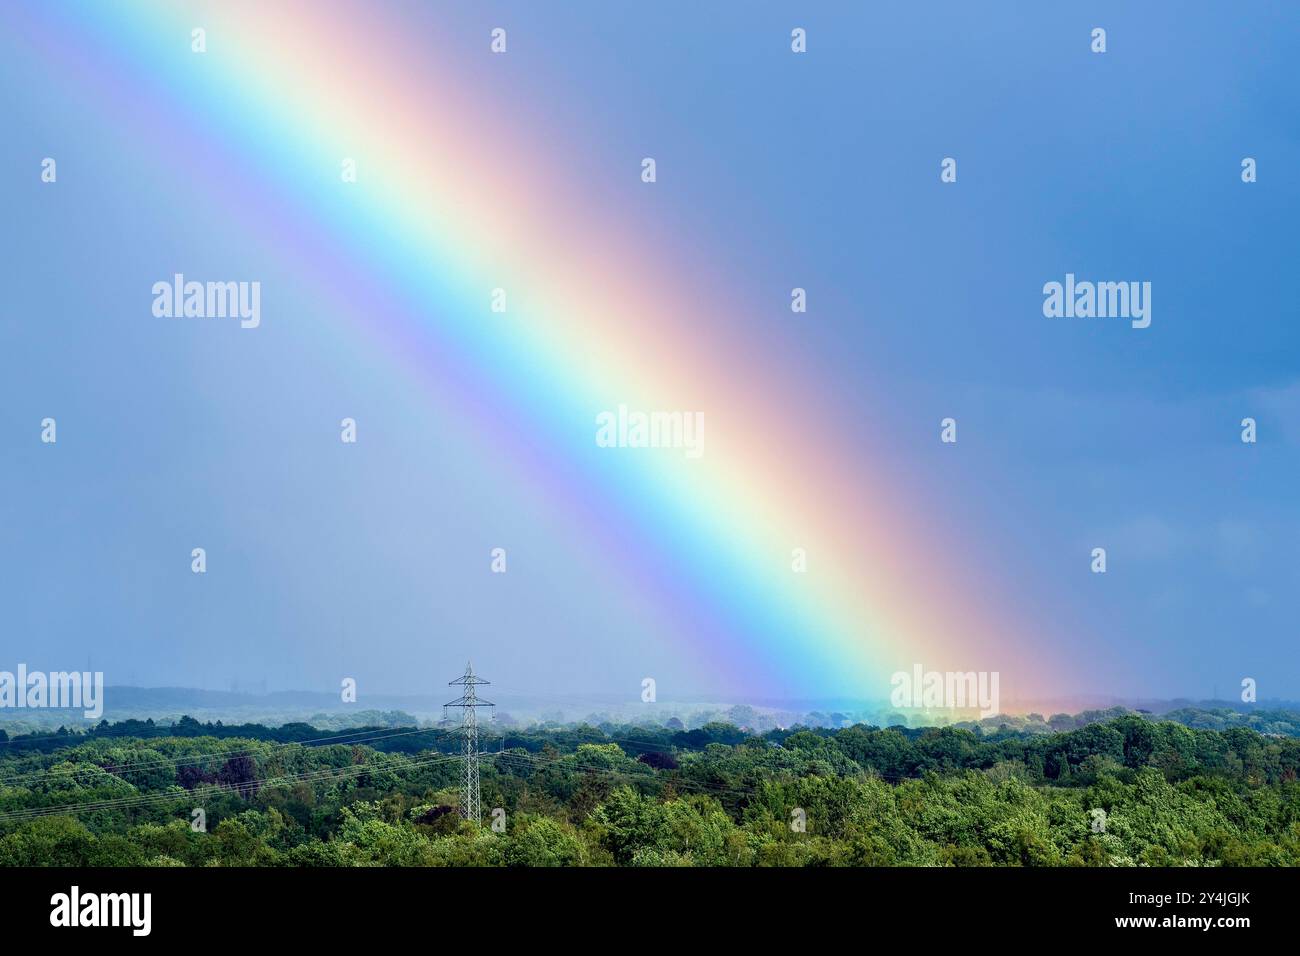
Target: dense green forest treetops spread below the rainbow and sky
pixel 1126 791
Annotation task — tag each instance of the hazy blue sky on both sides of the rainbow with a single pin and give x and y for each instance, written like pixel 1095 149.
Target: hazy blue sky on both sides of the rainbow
pixel 926 304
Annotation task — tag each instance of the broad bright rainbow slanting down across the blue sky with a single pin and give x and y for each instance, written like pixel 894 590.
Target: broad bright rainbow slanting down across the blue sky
pixel 453 202
